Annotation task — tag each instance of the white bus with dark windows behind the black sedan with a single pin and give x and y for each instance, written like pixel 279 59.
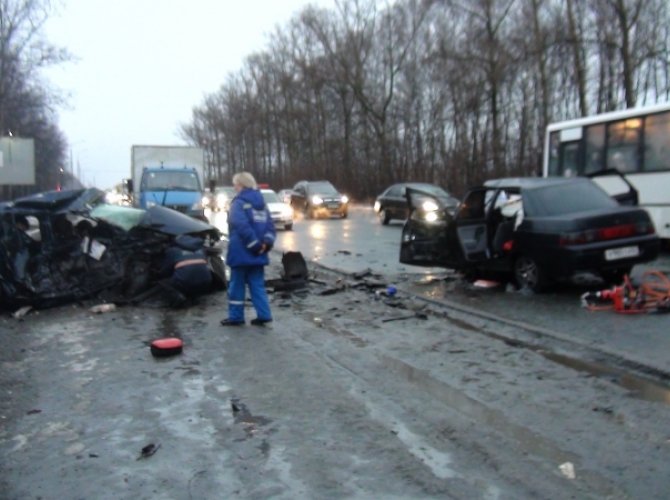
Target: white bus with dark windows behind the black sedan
pixel 636 142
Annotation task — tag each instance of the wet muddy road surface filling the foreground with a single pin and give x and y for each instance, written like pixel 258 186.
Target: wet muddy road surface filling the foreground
pixel 332 401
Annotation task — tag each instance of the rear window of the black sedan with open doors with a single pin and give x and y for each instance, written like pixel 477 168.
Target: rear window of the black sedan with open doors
pixel 568 198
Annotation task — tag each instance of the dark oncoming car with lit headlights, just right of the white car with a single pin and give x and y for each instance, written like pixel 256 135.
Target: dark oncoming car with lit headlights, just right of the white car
pixel 317 198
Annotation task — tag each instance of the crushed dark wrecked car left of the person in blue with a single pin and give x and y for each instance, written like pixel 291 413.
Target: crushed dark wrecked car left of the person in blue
pixel 63 246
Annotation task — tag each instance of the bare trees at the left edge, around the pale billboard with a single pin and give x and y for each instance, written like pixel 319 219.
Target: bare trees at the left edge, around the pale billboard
pixel 27 103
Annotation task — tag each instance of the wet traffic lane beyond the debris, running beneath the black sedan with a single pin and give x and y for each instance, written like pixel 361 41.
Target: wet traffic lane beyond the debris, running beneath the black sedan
pixel 361 242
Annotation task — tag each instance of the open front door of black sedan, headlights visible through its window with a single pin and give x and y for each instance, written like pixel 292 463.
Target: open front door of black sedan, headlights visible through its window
pixel 424 240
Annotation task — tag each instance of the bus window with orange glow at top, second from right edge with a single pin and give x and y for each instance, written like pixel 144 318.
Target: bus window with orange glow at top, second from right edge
pixel 623 146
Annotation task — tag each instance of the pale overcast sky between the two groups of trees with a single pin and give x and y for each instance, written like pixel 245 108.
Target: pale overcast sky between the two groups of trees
pixel 142 65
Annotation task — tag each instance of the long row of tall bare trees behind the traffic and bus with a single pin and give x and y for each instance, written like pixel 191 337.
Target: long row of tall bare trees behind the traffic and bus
pixel 445 91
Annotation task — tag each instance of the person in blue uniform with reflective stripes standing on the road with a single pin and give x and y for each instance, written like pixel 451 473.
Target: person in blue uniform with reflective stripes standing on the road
pixel 251 235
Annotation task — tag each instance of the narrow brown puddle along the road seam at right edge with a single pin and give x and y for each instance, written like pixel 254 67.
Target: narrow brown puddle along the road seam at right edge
pixel 639 388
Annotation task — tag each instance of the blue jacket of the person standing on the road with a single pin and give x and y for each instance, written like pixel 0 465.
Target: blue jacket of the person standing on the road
pixel 249 226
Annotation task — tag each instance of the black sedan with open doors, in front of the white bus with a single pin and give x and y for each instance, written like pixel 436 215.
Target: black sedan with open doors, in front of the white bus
pixel 532 230
